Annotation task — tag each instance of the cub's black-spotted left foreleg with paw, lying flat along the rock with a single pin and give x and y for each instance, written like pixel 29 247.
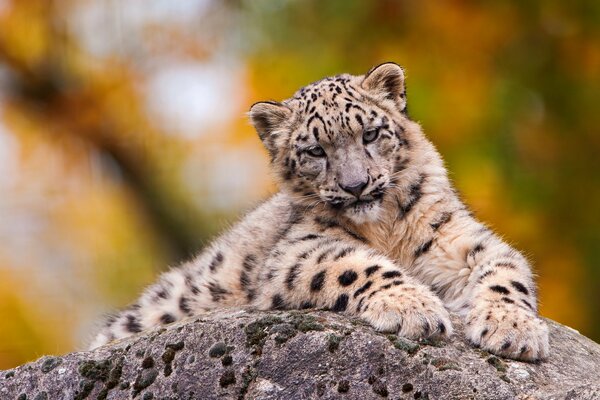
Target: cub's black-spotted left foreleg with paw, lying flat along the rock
pixel 345 276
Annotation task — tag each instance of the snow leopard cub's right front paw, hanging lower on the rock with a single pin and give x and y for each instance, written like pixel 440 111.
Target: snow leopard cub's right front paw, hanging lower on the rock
pixel 508 331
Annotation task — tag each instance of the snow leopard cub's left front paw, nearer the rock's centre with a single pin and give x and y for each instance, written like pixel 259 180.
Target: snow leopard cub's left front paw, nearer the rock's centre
pixel 410 311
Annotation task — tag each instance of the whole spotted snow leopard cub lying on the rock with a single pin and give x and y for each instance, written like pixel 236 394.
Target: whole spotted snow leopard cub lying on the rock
pixel 366 223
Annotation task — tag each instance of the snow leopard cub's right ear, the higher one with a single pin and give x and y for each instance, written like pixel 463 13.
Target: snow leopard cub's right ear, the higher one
pixel 386 81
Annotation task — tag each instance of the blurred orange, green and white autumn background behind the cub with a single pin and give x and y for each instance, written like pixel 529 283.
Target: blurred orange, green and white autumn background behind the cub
pixel 124 146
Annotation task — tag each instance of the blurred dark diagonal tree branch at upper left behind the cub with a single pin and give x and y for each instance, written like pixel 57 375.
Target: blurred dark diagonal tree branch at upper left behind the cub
pixel 58 87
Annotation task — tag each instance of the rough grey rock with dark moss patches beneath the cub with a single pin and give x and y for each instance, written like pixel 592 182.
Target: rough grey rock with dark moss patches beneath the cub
pixel 303 355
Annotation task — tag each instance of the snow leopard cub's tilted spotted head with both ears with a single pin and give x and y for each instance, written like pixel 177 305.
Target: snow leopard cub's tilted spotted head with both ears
pixel 339 141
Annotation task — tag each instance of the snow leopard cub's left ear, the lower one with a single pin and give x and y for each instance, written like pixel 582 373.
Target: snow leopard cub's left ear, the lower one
pixel 268 118
